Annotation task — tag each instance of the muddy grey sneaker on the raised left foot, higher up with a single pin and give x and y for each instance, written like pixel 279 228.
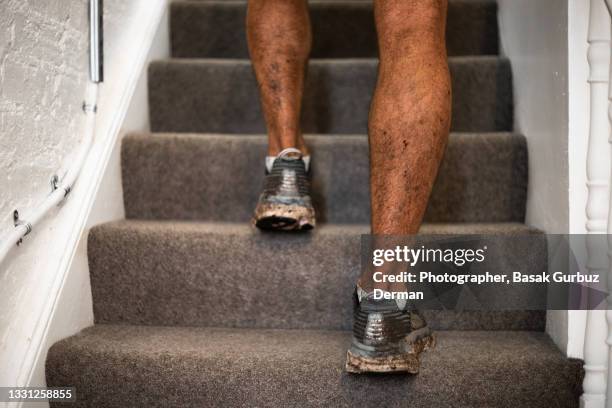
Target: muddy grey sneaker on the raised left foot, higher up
pixel 285 203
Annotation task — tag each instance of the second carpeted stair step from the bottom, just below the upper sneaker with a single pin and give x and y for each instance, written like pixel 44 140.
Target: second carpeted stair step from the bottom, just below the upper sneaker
pixel 231 275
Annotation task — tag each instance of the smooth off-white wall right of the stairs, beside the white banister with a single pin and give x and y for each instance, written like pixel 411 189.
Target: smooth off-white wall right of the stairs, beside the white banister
pixel 535 38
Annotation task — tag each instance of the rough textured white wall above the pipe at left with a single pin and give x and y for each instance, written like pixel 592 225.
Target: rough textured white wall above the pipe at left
pixel 43 64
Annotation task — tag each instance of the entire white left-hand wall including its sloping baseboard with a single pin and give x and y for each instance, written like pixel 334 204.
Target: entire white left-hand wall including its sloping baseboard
pixel 43 70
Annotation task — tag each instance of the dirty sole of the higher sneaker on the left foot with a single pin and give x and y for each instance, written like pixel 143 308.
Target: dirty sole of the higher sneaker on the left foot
pixel 282 217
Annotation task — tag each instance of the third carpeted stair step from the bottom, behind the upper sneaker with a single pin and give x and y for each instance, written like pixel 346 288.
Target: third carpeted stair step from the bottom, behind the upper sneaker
pixel 483 177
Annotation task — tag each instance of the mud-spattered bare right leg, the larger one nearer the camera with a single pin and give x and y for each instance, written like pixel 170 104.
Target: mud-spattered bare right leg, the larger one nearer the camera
pixel 410 113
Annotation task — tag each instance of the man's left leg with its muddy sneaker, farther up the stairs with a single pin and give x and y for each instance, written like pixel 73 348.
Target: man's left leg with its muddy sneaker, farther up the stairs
pixel 278 33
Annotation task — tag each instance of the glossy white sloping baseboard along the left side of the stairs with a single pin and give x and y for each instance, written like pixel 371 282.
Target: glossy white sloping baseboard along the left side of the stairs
pixel 114 105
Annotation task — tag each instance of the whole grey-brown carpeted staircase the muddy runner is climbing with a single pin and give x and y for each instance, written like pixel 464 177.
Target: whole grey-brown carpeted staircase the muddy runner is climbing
pixel 193 307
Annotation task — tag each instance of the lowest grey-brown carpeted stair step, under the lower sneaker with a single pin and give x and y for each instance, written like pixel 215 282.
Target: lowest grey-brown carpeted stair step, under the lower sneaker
pixel 118 366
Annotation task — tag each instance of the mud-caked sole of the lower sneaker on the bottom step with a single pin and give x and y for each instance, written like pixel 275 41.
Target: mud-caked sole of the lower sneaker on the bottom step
pixel 408 362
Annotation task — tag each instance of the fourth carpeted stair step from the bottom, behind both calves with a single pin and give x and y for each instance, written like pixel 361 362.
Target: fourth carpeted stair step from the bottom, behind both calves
pixel 221 96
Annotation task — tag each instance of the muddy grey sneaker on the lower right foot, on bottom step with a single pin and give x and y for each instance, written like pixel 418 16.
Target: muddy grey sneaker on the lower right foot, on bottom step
pixel 387 337
